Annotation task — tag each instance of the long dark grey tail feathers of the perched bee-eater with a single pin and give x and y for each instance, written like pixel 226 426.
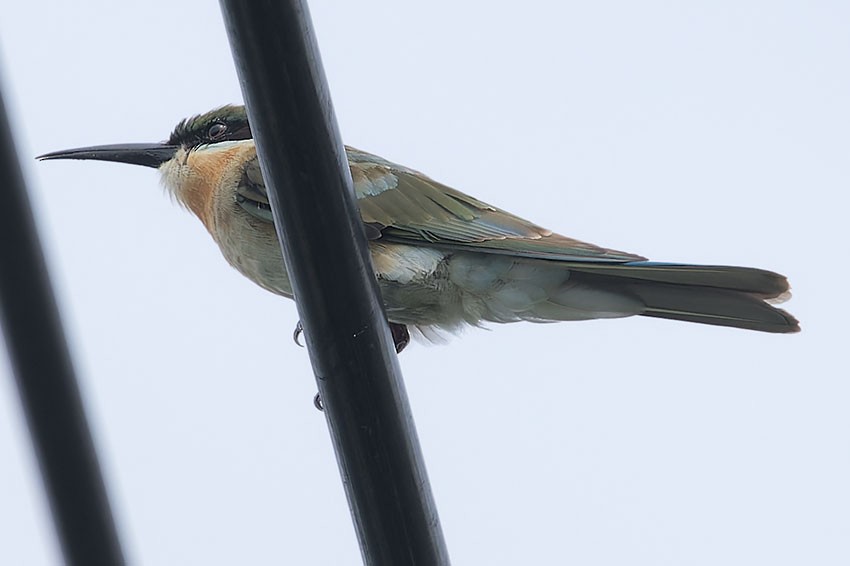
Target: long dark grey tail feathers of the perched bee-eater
pixel 739 297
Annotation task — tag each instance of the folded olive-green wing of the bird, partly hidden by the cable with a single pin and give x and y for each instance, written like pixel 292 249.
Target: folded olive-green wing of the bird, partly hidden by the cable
pixel 401 205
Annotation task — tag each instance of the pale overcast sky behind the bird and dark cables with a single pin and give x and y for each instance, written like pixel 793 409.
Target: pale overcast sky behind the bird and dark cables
pixel 715 132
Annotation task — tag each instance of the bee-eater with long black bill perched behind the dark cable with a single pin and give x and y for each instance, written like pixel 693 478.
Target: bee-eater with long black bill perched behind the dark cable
pixel 443 259
